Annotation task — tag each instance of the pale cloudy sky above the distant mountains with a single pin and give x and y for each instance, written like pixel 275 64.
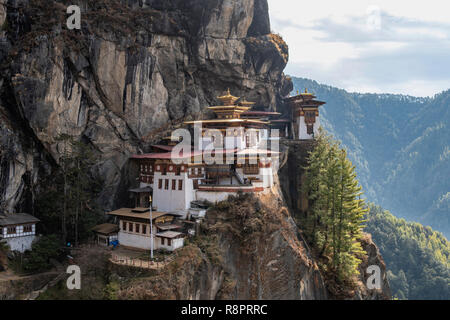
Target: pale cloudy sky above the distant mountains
pixel 379 46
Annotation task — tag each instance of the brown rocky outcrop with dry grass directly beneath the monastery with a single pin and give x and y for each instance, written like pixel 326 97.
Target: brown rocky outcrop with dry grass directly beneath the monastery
pixel 249 248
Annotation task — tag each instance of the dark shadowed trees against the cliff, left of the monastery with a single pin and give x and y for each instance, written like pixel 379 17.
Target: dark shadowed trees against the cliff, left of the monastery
pixel 67 206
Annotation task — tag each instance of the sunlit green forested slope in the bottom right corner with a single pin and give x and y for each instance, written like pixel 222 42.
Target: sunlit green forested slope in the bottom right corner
pixel 418 258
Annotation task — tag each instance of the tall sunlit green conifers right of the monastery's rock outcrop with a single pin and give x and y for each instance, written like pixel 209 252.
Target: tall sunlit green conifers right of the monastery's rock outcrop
pixel 333 224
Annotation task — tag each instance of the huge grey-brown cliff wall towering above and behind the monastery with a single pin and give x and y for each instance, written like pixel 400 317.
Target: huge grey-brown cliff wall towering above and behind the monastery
pixel 135 71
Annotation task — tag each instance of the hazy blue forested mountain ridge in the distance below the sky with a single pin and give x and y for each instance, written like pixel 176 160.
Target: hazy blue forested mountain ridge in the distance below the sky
pixel 400 146
